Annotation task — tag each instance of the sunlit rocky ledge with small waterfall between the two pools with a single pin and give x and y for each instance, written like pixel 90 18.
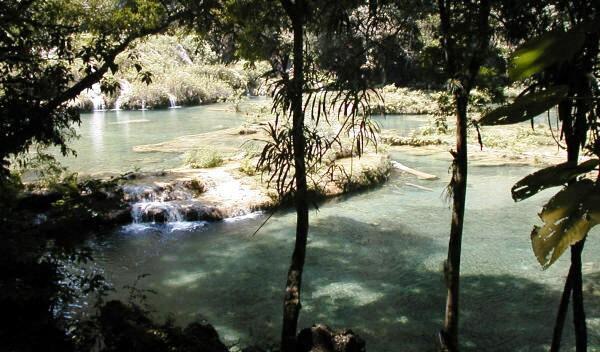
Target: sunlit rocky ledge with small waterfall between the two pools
pixel 215 194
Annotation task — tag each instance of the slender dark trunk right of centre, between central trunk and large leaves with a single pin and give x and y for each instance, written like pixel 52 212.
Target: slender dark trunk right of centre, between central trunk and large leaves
pixel 449 333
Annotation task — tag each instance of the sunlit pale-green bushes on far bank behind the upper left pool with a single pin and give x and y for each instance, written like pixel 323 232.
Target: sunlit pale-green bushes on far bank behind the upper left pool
pixel 180 67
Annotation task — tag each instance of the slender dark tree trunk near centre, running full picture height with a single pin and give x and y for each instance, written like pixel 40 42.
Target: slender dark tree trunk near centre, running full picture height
pixel 291 304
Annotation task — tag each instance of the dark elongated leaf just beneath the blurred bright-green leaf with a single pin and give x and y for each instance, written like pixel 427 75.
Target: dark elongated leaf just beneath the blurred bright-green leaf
pixel 525 107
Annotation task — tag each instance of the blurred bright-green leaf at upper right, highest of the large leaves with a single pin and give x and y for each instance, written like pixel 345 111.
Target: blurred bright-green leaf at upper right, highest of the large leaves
pixel 544 51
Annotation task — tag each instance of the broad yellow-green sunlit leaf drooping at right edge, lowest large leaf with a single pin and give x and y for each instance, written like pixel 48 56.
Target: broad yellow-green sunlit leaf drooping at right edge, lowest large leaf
pixel 567 217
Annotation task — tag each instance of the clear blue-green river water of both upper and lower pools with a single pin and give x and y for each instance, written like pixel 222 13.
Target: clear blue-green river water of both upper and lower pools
pixel 374 261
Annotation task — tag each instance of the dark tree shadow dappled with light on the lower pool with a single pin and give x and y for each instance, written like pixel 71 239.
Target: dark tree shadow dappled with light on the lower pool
pixel 358 275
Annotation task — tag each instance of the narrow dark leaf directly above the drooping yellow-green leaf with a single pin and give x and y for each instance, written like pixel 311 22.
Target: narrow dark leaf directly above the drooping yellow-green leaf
pixel 552 176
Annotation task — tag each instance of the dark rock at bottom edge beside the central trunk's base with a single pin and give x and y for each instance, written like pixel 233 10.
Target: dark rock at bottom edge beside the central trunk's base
pixel 320 338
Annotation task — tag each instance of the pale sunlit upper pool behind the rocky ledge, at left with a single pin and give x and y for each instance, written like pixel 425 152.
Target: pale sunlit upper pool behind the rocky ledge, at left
pixel 107 138
